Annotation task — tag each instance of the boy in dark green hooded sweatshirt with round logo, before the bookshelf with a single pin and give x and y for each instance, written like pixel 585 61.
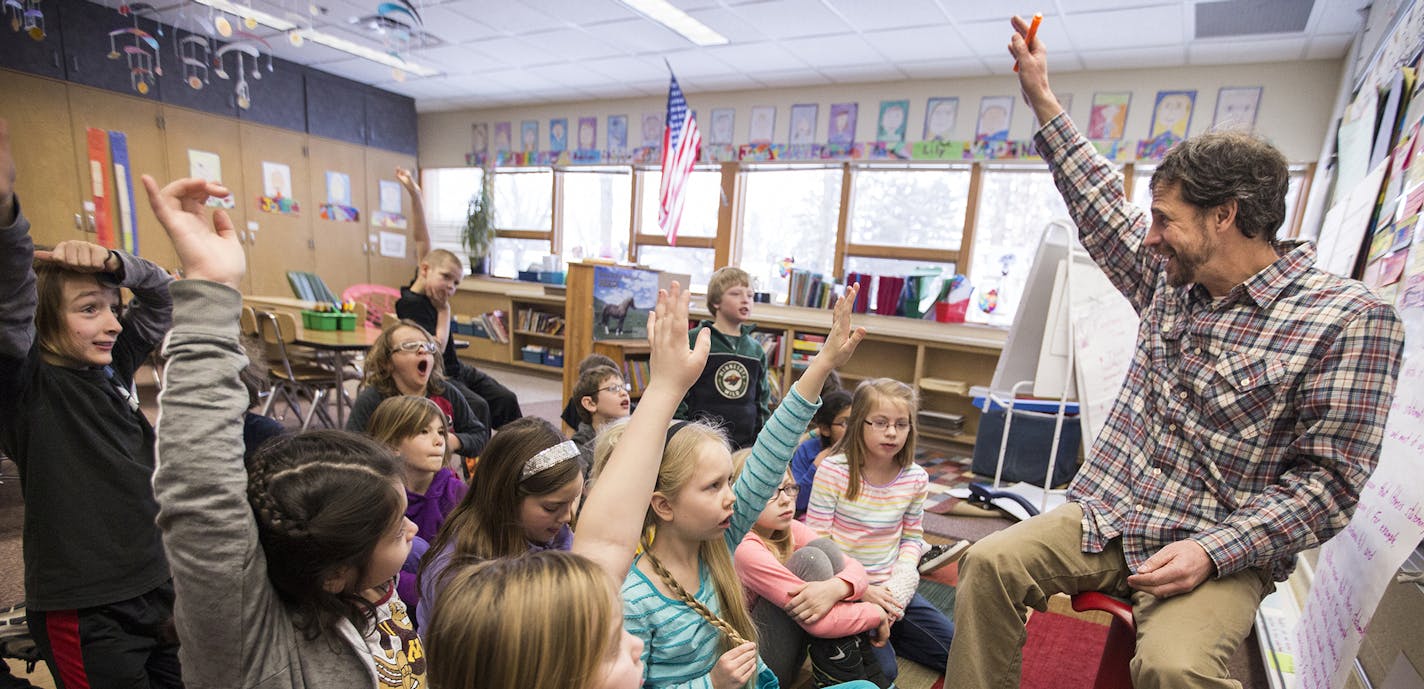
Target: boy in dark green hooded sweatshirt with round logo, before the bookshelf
pixel 734 389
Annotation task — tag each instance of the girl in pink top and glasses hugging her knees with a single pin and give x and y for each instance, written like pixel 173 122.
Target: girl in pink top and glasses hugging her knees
pixel 804 594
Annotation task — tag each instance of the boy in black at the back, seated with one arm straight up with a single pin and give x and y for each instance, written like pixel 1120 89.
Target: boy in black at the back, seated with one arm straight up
pixel 426 301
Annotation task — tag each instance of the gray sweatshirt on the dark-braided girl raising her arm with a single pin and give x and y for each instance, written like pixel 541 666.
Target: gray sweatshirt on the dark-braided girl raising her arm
pixel 236 633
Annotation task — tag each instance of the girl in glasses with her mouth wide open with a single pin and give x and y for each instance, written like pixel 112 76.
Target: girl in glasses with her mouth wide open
pixel 405 361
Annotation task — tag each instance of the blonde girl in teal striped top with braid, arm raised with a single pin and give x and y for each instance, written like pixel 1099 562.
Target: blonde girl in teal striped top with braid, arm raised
pixel 683 596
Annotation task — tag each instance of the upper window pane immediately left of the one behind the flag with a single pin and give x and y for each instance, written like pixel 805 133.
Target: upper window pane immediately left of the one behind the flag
pixel 595 213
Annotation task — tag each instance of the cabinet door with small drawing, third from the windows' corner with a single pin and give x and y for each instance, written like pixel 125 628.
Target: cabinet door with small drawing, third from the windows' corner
pixel 280 243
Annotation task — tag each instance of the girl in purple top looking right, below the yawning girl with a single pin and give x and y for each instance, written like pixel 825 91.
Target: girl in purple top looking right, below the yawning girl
pixel 415 429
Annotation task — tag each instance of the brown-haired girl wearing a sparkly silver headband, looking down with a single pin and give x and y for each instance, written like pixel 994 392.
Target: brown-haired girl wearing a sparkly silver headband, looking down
pixel 523 496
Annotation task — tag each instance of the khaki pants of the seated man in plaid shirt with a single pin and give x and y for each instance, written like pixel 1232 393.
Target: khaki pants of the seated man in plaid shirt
pixel 1183 641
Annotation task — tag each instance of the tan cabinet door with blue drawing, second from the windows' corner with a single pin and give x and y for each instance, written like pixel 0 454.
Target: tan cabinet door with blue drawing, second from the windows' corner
pixel 341 247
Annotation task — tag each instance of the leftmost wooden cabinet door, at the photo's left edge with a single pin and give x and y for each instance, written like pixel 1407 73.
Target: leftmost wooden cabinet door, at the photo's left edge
pixel 46 179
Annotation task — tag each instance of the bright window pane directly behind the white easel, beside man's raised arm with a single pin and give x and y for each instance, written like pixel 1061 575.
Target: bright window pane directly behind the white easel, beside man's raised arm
pixel 1015 207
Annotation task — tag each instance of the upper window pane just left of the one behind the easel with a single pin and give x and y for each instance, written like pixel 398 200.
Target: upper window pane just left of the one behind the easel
pixel 921 209
